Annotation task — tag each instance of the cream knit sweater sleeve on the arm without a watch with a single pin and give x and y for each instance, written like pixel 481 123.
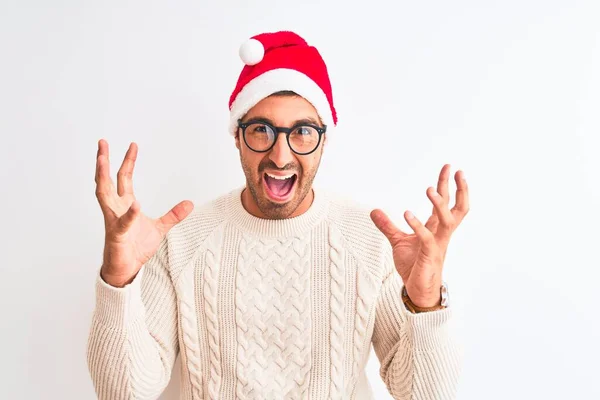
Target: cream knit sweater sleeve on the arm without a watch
pixel 132 344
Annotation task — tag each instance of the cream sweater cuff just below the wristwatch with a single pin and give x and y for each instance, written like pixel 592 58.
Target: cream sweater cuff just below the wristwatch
pixel 430 330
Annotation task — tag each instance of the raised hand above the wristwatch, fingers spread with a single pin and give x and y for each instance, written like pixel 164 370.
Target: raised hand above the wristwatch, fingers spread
pixel 419 257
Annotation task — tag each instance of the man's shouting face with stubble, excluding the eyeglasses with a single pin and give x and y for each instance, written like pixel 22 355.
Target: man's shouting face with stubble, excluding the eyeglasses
pixel 280 198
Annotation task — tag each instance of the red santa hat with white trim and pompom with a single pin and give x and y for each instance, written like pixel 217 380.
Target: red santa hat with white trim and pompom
pixel 280 61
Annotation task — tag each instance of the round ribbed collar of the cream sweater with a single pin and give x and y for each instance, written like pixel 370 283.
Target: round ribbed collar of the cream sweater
pixel 277 227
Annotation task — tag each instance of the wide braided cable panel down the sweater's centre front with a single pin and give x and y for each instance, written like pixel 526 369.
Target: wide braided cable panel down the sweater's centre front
pixel 273 317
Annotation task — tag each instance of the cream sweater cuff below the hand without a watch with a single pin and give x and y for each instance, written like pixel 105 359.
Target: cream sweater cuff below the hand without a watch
pixel 116 307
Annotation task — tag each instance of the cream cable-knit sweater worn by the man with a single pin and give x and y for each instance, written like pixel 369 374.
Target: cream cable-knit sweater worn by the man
pixel 269 309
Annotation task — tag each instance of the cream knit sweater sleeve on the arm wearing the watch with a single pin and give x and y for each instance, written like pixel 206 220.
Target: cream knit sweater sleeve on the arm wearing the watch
pixel 419 354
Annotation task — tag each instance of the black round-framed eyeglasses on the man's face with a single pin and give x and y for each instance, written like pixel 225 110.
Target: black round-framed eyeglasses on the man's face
pixel 260 136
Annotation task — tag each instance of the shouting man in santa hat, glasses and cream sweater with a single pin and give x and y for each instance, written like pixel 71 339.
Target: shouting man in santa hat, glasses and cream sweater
pixel 275 290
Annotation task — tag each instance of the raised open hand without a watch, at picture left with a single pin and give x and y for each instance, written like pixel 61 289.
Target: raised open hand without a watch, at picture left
pixel 131 238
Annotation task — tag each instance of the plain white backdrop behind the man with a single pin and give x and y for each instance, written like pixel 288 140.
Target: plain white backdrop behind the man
pixel 508 91
